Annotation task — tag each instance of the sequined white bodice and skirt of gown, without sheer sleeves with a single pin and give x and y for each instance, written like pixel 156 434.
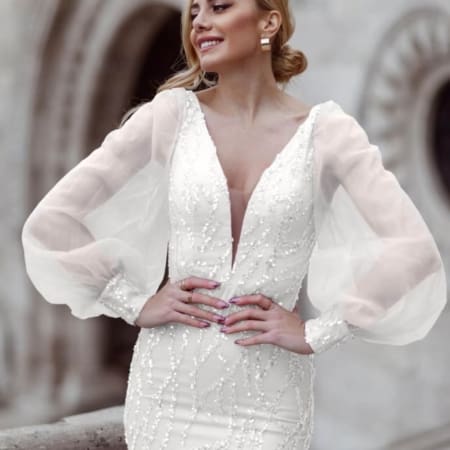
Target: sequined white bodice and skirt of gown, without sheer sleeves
pixel 195 388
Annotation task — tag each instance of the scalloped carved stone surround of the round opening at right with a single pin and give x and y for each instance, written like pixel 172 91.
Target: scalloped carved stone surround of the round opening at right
pixel 406 74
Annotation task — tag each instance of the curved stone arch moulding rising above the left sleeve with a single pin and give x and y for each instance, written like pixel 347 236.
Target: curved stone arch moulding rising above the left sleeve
pixel 89 61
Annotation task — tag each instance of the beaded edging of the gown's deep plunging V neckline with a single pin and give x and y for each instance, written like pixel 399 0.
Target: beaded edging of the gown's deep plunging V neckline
pixel 258 184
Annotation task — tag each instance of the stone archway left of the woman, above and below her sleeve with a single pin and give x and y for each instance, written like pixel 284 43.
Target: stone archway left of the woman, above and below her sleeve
pixel 90 56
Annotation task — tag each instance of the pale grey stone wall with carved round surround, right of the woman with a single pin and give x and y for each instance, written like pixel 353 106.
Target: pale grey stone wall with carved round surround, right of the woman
pixel 370 395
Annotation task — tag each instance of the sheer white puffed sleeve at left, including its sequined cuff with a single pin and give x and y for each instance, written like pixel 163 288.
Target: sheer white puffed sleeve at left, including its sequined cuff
pixel 98 240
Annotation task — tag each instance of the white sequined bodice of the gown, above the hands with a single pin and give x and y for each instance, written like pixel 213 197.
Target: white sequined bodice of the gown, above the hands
pixel 277 235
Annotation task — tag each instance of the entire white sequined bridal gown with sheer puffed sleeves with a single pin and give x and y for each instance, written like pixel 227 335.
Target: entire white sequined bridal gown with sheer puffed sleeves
pixel 325 209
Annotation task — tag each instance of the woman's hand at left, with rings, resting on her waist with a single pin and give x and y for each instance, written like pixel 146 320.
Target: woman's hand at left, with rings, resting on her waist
pixel 173 304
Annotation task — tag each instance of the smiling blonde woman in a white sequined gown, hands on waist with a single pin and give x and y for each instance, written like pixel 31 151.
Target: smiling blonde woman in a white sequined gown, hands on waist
pixel 246 190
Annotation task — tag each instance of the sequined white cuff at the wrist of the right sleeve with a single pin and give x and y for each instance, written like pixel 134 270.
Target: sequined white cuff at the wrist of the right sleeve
pixel 327 331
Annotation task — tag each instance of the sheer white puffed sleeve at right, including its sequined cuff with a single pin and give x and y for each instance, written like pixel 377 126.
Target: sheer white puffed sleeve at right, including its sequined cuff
pixel 375 271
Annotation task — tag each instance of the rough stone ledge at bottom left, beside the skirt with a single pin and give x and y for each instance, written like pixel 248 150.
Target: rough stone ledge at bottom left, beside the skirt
pixel 102 429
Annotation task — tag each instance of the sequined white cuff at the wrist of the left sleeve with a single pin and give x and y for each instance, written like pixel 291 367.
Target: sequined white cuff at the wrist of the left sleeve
pixel 123 297
